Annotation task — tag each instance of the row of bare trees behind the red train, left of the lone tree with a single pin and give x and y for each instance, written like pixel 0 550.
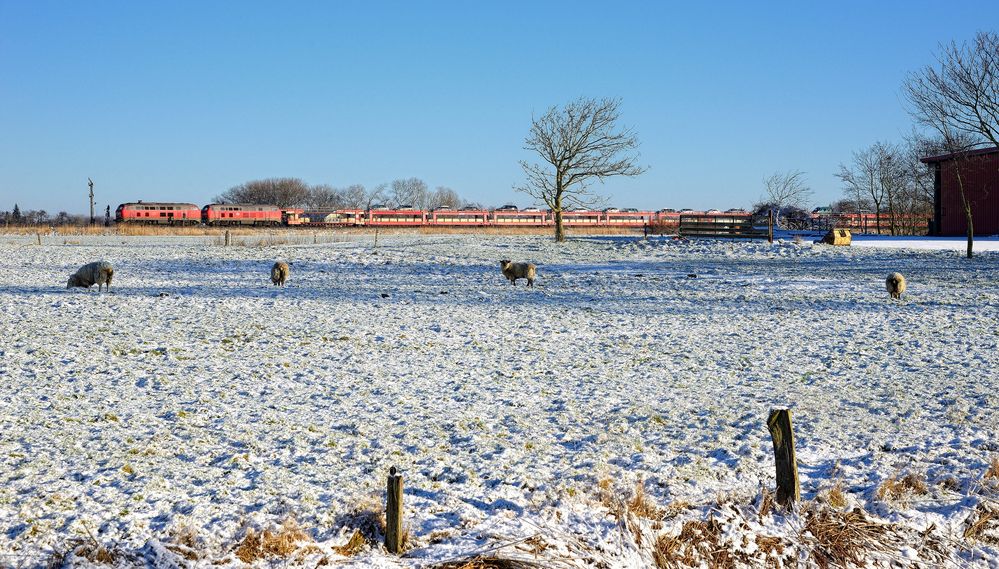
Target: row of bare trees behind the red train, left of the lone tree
pixel 293 192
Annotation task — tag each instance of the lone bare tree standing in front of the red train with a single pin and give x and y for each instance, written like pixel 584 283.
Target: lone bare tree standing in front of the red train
pixel 578 143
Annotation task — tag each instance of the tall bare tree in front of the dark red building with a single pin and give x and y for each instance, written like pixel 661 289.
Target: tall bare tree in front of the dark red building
pixel 959 99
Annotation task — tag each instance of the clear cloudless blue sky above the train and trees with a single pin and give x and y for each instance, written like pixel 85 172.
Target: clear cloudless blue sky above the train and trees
pixel 178 101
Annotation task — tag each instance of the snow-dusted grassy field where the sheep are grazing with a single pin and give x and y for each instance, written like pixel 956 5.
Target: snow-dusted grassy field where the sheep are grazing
pixel 197 398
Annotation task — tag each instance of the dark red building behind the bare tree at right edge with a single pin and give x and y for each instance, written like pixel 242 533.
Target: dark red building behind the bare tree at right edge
pixel 978 172
